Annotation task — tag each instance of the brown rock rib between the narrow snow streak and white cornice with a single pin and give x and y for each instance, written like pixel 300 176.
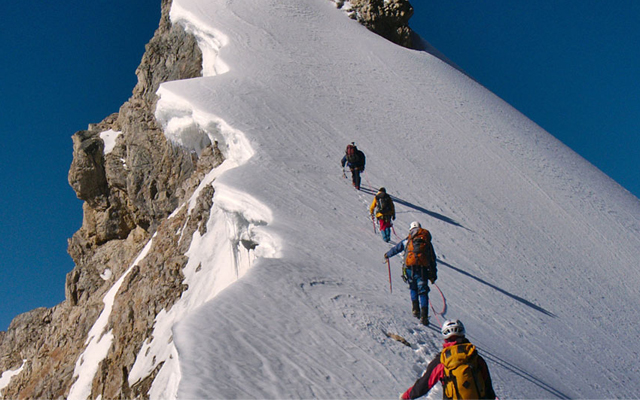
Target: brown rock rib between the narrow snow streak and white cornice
pixel 152 286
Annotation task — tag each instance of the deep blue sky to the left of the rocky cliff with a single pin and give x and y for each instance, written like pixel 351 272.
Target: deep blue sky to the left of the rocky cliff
pixel 65 65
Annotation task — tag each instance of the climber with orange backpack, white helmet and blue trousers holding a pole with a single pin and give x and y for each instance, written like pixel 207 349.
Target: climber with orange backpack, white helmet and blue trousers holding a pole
pixel 419 268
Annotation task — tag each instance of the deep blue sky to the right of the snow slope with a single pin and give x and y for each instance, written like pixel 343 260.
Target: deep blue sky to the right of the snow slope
pixel 570 66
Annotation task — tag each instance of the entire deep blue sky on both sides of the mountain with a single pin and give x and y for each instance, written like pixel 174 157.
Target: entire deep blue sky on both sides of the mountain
pixel 570 66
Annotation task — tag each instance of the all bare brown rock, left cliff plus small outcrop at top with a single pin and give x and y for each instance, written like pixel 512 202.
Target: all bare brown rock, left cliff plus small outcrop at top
pixel 128 193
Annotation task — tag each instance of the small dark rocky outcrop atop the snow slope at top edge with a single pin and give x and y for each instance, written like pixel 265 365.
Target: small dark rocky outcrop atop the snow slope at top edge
pixel 387 18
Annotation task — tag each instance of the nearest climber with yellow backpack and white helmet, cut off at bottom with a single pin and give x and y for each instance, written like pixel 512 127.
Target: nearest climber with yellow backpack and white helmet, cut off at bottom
pixel 463 372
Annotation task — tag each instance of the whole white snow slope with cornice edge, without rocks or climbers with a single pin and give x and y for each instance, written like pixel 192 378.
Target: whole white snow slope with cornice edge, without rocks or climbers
pixel 538 249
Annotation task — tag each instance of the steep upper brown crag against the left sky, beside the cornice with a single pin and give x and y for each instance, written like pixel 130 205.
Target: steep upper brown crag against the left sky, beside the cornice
pixel 137 183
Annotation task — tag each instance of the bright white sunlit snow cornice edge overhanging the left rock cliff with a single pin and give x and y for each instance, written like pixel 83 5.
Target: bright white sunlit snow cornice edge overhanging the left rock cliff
pixel 235 235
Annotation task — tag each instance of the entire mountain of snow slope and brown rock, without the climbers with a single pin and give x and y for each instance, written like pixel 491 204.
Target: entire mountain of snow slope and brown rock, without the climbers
pixel 224 255
